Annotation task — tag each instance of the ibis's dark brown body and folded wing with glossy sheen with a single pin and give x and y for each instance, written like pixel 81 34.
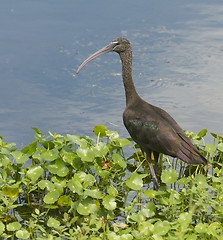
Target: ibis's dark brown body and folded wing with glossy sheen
pixel 156 130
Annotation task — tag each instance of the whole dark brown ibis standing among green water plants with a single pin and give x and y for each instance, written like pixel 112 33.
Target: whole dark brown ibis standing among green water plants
pixel 149 126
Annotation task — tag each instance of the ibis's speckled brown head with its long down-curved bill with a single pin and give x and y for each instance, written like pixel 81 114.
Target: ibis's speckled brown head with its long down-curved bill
pixel 118 45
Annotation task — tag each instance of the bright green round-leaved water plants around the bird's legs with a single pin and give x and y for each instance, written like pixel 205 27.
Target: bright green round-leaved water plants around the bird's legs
pixel 71 187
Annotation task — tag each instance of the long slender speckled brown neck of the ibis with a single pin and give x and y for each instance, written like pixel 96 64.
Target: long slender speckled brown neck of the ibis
pixel 130 91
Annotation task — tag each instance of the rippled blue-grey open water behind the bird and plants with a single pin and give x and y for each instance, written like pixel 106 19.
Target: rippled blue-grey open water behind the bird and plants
pixel 177 65
